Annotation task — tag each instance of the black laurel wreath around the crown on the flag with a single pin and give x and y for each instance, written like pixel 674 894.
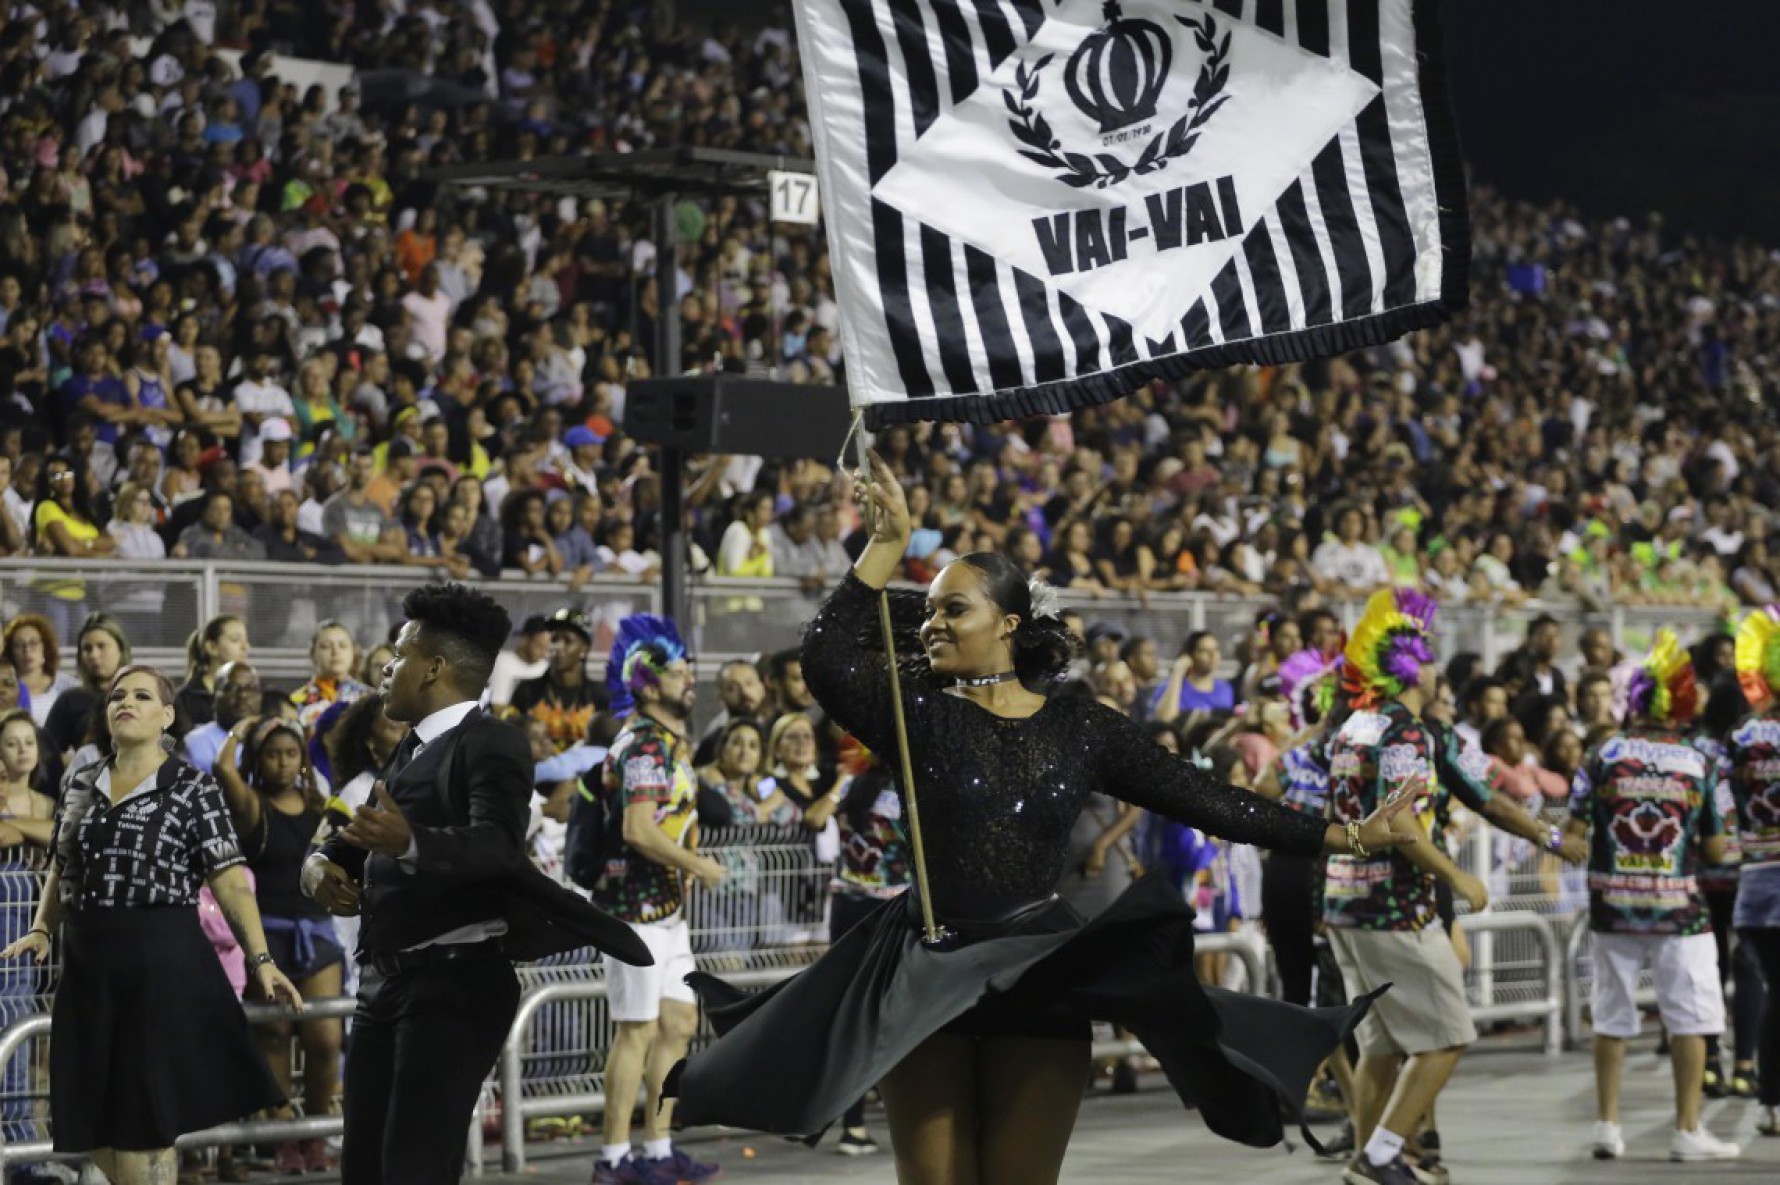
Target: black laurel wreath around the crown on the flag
pixel 1103 170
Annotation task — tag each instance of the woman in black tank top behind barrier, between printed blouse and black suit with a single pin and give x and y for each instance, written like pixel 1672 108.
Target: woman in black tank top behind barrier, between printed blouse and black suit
pixel 277 805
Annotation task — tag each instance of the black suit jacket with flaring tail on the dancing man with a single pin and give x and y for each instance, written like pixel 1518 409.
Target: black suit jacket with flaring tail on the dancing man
pixel 467 800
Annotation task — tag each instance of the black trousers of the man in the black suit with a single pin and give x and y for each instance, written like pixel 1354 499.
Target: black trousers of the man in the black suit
pixel 423 1045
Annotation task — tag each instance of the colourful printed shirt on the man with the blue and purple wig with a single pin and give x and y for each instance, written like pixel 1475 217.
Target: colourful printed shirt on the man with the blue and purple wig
pixel 647 764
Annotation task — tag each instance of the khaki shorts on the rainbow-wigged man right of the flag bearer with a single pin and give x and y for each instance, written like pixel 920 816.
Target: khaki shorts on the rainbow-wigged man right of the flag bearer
pixel 1425 1008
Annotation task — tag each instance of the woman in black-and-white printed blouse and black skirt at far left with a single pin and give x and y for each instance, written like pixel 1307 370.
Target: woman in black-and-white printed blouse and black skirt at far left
pixel 149 1040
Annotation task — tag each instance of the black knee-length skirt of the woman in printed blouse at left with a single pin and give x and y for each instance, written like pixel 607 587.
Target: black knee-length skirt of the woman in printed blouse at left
pixel 149 1040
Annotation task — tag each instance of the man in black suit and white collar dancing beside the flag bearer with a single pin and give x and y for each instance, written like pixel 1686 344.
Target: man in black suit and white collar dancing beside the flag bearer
pixel 435 866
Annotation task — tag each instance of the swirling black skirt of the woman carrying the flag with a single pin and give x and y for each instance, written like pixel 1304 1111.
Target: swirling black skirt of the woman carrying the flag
pixel 793 1058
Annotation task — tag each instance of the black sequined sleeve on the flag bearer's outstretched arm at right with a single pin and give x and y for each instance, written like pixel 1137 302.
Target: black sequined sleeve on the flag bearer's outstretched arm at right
pixel 1135 770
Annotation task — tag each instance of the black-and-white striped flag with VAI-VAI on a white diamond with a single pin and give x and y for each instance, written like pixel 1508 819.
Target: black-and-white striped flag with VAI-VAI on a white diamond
pixel 1039 206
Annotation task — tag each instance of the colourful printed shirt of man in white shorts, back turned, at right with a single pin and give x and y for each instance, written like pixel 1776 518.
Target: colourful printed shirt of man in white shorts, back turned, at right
pixel 1651 802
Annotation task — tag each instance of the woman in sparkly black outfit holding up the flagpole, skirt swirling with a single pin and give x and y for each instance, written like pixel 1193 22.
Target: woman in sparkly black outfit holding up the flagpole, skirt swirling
pixel 982 1042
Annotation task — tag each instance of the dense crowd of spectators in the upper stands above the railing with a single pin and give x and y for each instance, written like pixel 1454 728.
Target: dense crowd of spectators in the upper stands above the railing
pixel 239 323
